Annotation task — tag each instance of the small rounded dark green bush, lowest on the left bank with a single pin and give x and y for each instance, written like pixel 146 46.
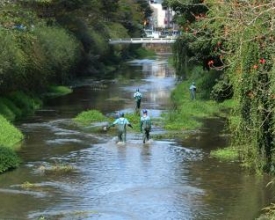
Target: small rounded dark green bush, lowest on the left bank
pixel 8 159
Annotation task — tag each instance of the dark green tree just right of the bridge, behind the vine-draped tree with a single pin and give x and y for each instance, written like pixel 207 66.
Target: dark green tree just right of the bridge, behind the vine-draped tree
pixel 198 45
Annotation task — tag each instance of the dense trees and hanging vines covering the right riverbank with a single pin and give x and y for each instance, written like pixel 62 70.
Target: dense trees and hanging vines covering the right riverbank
pixel 233 42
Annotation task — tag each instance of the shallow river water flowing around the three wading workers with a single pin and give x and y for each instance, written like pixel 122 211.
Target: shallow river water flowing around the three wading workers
pixel 164 180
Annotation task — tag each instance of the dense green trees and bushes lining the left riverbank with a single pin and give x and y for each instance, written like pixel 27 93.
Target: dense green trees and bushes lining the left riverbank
pixel 47 43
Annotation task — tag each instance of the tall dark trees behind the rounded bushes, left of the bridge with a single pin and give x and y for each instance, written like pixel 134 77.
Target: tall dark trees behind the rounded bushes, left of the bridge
pixel 91 22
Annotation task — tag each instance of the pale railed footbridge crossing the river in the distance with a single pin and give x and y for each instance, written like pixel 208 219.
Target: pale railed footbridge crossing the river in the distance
pixel 142 41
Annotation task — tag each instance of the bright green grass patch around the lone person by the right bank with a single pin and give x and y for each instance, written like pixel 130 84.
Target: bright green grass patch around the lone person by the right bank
pixel 187 113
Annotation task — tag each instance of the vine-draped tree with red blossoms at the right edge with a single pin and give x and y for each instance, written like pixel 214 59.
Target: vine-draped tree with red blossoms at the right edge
pixel 249 55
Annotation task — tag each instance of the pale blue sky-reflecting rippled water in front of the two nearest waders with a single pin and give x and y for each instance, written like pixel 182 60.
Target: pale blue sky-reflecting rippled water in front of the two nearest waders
pixel 131 182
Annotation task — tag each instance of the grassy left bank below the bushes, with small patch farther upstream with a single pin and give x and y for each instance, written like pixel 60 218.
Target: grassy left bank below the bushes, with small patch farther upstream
pixel 13 107
